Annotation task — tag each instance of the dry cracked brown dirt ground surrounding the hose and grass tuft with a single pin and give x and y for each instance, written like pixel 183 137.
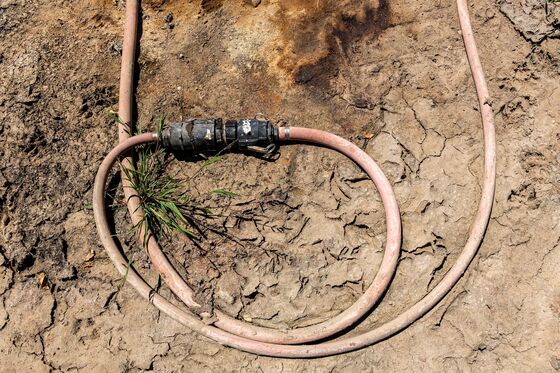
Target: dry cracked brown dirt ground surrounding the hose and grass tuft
pixel 391 76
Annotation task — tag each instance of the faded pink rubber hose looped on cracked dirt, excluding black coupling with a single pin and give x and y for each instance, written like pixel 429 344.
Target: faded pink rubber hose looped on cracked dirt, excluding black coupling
pixel 265 341
